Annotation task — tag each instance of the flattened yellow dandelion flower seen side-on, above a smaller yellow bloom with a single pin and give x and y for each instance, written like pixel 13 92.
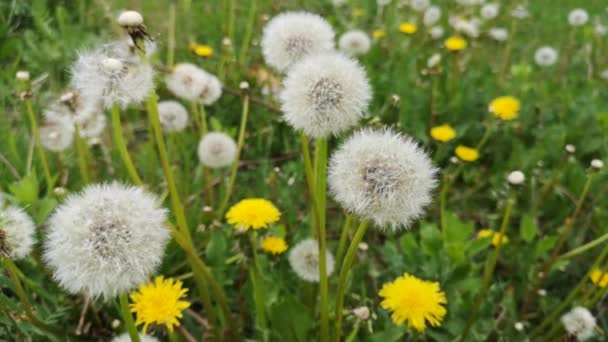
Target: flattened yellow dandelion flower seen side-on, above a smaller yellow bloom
pixel 253 213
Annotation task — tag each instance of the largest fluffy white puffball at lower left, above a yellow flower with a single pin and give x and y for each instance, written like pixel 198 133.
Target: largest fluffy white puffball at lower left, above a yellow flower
pixel 106 240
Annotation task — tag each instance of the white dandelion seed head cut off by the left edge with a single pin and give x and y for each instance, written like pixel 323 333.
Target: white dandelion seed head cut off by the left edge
pixel 17 232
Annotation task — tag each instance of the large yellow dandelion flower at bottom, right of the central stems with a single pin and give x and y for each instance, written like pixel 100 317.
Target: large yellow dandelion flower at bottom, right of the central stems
pixel 414 300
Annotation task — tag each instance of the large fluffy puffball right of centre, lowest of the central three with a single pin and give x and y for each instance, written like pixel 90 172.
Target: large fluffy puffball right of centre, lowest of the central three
pixel 382 176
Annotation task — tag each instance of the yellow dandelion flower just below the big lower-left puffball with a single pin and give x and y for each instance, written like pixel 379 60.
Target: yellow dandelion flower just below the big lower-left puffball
pixel 159 303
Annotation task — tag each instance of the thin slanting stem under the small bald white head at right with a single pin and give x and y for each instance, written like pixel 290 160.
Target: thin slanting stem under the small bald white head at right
pixel 489 271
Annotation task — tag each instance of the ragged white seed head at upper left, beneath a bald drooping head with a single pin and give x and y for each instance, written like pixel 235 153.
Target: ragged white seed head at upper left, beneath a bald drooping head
pixel 108 79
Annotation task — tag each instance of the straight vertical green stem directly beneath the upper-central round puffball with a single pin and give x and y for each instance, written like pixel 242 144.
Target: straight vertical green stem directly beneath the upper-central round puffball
pixel 320 198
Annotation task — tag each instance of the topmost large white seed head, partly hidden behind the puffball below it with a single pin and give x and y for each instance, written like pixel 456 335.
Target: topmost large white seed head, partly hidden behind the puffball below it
pixel 290 36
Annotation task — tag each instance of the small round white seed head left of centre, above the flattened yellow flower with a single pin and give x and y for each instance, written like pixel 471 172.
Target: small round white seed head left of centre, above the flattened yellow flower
pixel 217 150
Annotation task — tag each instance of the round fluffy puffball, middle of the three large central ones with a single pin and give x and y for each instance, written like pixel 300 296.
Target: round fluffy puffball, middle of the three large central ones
pixel 325 94
